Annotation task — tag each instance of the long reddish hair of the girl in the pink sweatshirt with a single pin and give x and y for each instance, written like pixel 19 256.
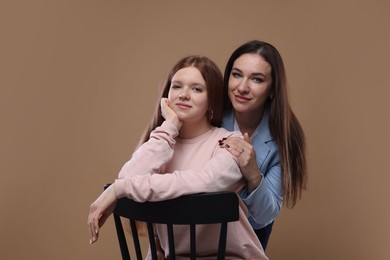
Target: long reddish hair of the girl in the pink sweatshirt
pixel 214 84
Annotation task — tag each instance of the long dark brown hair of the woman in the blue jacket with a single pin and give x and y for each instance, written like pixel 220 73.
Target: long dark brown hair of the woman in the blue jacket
pixel 284 125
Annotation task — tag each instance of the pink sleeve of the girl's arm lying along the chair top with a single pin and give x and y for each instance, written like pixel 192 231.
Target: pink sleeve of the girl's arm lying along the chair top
pixel 218 174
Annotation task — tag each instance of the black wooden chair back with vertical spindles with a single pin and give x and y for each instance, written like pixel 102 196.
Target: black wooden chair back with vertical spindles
pixel 202 208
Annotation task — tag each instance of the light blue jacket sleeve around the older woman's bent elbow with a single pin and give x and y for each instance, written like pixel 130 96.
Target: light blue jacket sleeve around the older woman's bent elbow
pixel 265 201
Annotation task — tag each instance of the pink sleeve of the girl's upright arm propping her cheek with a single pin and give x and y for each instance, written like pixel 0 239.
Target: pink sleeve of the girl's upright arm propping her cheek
pixel 153 154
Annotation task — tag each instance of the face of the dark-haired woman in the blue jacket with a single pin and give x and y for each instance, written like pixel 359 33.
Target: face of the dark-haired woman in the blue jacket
pixel 249 83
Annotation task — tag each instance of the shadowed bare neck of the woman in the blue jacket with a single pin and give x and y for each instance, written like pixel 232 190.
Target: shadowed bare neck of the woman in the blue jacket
pixel 248 121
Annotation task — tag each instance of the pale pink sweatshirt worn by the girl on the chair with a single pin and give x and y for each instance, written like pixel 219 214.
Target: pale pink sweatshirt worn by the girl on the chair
pixel 167 167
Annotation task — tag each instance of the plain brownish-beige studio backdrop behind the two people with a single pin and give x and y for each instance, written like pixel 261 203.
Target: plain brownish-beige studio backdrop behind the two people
pixel 79 82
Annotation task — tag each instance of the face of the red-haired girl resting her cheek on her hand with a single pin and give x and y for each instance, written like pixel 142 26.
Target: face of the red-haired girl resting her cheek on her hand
pixel 188 95
